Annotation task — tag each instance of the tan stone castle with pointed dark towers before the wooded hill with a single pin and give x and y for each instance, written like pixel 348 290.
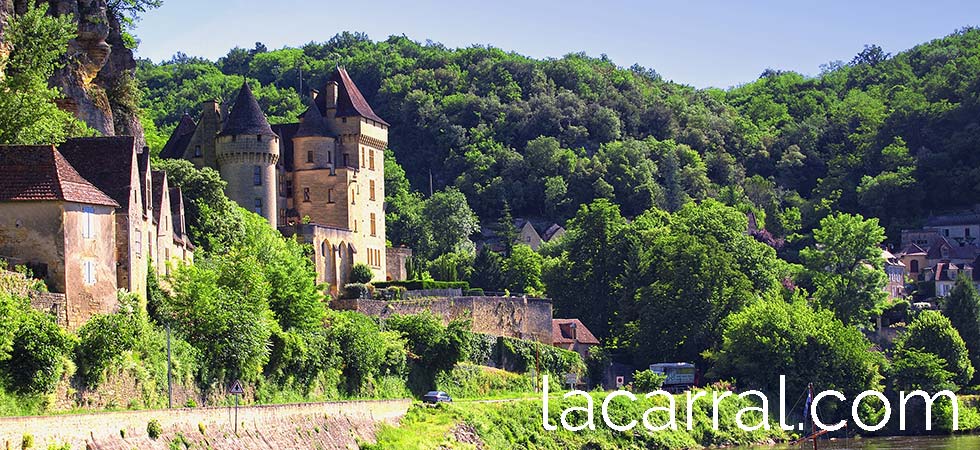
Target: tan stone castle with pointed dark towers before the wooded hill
pixel 321 179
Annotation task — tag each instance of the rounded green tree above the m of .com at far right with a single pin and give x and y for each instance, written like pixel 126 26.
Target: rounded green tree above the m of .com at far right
pixel 933 333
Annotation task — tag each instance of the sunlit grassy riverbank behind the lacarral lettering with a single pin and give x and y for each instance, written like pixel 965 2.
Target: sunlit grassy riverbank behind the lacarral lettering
pixel 518 424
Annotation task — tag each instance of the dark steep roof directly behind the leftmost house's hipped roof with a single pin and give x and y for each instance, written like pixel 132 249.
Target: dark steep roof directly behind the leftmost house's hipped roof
pixel 107 162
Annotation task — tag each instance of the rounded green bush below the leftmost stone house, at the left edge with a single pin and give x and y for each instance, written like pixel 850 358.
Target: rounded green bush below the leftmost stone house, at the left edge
pixel 40 349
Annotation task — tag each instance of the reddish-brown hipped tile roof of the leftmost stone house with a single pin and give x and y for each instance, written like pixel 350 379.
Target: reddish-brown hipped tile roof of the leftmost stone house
pixel 32 173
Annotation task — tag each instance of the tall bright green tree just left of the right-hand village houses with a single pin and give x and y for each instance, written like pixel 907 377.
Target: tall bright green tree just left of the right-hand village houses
pixel 846 267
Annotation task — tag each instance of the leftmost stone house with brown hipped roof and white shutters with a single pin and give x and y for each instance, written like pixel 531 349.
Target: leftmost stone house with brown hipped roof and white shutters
pixel 62 225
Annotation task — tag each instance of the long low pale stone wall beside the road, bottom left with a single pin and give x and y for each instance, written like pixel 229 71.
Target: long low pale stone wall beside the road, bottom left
pixel 309 425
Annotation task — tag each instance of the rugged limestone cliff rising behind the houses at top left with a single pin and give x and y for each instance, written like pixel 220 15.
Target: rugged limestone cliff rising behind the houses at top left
pixel 97 80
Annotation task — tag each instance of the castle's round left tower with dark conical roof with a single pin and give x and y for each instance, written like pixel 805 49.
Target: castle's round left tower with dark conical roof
pixel 246 152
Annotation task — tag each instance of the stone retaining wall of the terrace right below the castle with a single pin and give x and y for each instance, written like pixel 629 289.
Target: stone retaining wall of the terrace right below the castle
pixel 515 317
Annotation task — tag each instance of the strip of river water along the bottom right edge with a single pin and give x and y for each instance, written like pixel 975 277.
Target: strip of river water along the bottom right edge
pixel 889 443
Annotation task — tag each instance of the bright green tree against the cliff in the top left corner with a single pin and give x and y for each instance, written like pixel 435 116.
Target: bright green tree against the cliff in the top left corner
pixel 28 113
